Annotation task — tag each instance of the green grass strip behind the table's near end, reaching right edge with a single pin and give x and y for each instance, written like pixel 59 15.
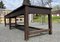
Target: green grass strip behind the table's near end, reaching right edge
pixel 55 19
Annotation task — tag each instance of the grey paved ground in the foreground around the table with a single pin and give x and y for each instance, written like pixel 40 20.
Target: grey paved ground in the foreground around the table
pixel 15 35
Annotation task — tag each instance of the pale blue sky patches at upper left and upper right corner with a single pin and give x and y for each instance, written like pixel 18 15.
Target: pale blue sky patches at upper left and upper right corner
pixel 13 4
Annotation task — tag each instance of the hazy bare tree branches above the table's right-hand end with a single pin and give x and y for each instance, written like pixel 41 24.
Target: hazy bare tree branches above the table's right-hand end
pixel 41 2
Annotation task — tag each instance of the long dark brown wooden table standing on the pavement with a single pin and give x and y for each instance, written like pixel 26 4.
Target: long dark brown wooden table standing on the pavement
pixel 26 9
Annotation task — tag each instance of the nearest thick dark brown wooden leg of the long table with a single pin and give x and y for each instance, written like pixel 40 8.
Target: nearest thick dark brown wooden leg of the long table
pixel 26 23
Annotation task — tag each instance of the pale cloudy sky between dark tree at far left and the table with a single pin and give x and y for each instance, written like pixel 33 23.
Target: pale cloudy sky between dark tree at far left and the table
pixel 12 4
